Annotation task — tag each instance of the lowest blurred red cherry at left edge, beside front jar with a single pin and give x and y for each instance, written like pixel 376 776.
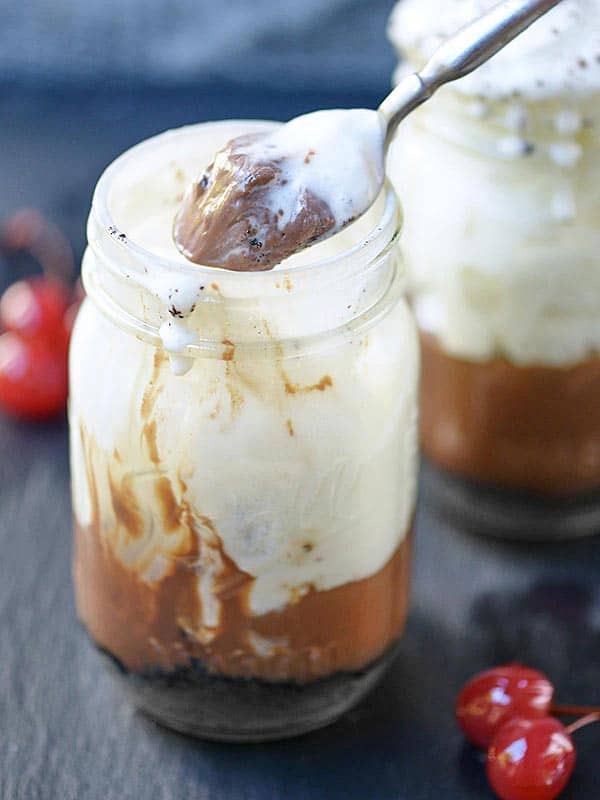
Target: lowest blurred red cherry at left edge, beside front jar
pixel 33 377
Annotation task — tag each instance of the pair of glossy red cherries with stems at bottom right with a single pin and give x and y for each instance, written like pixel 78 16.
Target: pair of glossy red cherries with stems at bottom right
pixel 507 711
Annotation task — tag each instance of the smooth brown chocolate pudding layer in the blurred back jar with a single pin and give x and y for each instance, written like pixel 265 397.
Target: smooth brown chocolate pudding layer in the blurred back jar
pixel 534 428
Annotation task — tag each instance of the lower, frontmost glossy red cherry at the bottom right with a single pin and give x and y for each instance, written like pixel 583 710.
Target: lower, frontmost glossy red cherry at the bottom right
pixel 530 759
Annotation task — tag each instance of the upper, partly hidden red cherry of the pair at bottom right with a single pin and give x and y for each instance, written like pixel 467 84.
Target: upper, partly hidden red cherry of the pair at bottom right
pixel 489 699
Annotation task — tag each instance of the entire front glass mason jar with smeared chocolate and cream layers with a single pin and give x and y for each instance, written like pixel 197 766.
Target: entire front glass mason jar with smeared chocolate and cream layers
pixel 244 458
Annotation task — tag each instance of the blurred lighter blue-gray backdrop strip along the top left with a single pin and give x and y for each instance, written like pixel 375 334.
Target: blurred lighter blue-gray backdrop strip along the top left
pixel 274 43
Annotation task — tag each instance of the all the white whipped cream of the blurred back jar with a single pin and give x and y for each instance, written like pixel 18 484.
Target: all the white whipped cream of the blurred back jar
pixel 498 177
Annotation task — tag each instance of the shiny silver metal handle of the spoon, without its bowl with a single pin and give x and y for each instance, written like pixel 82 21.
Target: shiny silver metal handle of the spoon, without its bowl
pixel 462 53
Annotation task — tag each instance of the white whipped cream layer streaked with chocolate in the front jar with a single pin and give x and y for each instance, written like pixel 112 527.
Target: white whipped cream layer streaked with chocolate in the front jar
pixel 301 456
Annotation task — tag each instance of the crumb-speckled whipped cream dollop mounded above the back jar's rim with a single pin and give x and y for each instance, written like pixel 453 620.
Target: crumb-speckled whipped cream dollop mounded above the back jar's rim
pixel 557 56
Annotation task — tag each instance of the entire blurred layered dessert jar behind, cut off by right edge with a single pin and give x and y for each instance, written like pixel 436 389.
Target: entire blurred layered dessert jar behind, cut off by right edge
pixel 499 178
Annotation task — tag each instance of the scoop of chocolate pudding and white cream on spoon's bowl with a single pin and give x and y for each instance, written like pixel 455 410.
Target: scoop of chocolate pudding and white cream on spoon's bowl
pixel 268 195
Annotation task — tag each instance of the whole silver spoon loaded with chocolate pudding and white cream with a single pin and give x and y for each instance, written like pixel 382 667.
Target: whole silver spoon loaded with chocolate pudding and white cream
pixel 268 195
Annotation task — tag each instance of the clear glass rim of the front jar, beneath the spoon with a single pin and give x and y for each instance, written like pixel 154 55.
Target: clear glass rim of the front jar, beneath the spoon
pixel 102 223
